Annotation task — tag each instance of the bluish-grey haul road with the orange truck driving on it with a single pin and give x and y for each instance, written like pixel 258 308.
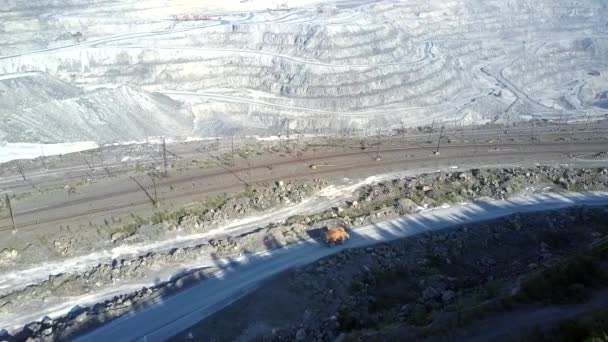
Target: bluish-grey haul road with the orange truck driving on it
pixel 163 318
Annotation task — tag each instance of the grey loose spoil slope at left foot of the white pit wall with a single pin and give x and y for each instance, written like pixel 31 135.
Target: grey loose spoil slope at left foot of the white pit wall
pixel 39 108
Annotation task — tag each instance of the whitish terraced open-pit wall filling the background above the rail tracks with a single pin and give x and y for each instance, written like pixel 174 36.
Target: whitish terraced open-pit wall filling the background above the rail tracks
pixel 315 68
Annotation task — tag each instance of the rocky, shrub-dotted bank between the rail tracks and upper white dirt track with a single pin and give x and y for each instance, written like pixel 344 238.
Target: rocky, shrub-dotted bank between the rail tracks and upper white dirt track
pixel 211 212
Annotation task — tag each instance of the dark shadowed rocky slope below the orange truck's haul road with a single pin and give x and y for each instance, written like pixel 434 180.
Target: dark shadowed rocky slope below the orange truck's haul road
pixel 431 286
